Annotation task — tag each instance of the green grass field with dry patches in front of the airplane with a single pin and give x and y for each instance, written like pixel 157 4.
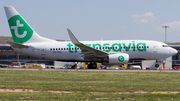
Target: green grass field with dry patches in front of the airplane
pixel 89 85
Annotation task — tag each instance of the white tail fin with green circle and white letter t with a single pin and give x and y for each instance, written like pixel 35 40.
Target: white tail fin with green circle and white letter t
pixel 21 31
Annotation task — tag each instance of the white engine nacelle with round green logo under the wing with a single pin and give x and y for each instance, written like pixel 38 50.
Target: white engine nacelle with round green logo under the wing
pixel 120 58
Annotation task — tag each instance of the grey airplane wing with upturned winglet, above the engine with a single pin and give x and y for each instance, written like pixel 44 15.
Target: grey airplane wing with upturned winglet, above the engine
pixel 87 52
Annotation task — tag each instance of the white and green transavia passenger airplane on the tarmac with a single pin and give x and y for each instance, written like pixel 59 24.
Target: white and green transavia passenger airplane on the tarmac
pixel 114 52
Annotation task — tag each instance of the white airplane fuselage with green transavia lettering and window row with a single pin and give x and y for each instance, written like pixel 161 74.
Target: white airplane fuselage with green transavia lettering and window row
pixel 67 51
